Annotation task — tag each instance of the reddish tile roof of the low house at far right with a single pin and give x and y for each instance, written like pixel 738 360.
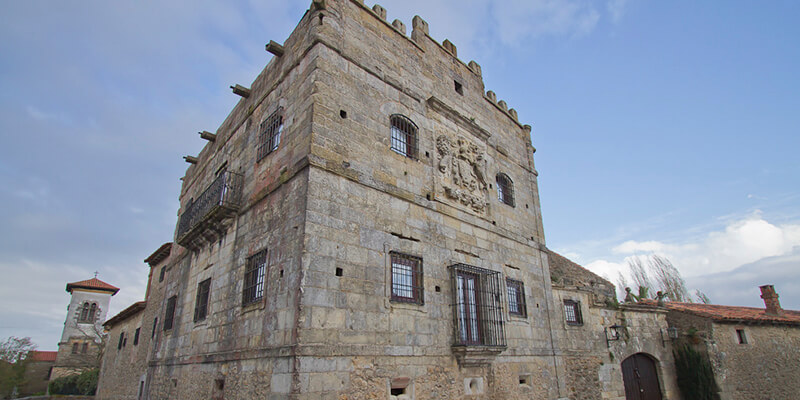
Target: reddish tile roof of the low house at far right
pixel 735 313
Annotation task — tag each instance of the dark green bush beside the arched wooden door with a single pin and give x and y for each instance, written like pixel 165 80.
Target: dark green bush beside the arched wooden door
pixel 694 373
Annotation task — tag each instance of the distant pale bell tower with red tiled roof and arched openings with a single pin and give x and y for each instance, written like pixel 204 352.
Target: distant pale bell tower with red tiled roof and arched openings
pixel 81 343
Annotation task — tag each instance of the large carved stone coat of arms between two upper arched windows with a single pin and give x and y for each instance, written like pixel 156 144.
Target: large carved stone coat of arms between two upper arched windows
pixel 462 171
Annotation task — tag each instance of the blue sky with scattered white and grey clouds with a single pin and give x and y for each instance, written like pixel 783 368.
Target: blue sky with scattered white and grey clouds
pixel 667 127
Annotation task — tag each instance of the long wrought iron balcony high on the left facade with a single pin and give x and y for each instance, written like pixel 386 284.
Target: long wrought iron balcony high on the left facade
pixel 203 220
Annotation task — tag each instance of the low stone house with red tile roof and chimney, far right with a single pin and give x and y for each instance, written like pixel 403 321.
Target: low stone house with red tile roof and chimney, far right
pixel 754 352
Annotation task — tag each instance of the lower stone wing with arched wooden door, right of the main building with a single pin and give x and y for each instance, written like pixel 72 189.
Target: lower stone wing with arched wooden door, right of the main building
pixel 610 350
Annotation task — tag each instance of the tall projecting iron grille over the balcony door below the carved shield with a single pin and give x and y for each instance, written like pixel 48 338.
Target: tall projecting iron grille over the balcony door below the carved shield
pixel 477 306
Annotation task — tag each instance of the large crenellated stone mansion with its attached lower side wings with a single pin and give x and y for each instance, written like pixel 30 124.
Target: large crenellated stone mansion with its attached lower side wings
pixel 366 224
